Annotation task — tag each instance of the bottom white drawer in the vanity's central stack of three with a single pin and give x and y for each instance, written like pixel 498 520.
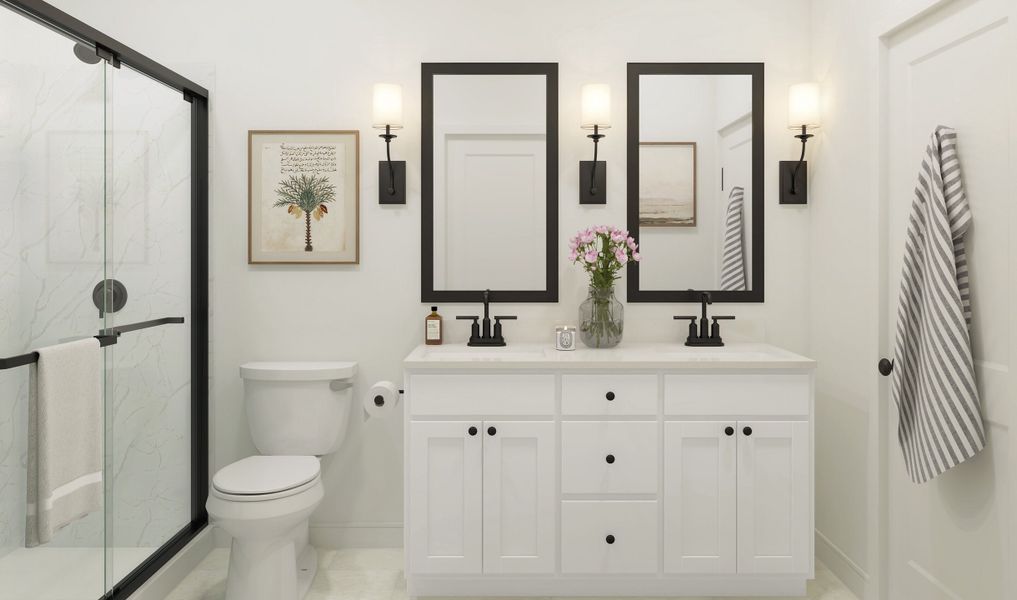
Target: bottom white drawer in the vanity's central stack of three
pixel 609 537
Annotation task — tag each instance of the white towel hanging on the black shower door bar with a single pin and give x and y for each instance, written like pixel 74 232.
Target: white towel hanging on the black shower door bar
pixel 66 438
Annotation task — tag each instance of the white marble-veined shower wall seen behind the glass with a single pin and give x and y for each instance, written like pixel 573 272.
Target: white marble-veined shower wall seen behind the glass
pixel 54 250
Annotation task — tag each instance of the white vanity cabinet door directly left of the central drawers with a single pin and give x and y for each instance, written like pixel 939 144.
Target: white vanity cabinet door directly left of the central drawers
pixel 519 497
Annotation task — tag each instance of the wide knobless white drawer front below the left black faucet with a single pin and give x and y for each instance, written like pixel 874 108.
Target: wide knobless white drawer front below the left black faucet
pixel 490 394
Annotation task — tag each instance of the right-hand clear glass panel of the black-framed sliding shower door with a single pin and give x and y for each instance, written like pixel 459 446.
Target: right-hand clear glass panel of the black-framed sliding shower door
pixel 149 251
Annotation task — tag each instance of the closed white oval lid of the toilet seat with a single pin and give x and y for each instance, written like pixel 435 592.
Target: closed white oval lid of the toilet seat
pixel 266 475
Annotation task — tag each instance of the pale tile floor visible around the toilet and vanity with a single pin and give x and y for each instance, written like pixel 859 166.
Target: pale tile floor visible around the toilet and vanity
pixel 378 575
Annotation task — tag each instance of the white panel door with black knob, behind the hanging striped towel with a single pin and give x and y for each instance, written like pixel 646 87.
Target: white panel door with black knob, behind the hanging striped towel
pixel 958 67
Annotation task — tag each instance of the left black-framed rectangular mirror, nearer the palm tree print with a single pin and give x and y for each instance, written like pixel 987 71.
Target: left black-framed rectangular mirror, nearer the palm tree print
pixel 490 183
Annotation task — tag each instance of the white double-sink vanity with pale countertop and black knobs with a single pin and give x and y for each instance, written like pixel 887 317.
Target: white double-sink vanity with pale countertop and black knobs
pixel 646 470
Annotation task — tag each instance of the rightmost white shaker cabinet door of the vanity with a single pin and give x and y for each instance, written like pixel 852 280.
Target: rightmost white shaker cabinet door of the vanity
pixel 774 497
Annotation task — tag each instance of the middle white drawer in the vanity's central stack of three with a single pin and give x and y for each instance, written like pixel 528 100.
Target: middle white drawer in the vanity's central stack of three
pixel 606 457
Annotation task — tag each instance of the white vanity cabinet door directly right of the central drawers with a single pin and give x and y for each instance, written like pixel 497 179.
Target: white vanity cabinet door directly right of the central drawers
pixel 700 477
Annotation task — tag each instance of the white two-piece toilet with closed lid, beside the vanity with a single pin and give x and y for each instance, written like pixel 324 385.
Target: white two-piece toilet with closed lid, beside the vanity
pixel 297 413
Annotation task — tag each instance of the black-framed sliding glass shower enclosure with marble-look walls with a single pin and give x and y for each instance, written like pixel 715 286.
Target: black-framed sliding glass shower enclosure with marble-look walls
pixel 103 232
